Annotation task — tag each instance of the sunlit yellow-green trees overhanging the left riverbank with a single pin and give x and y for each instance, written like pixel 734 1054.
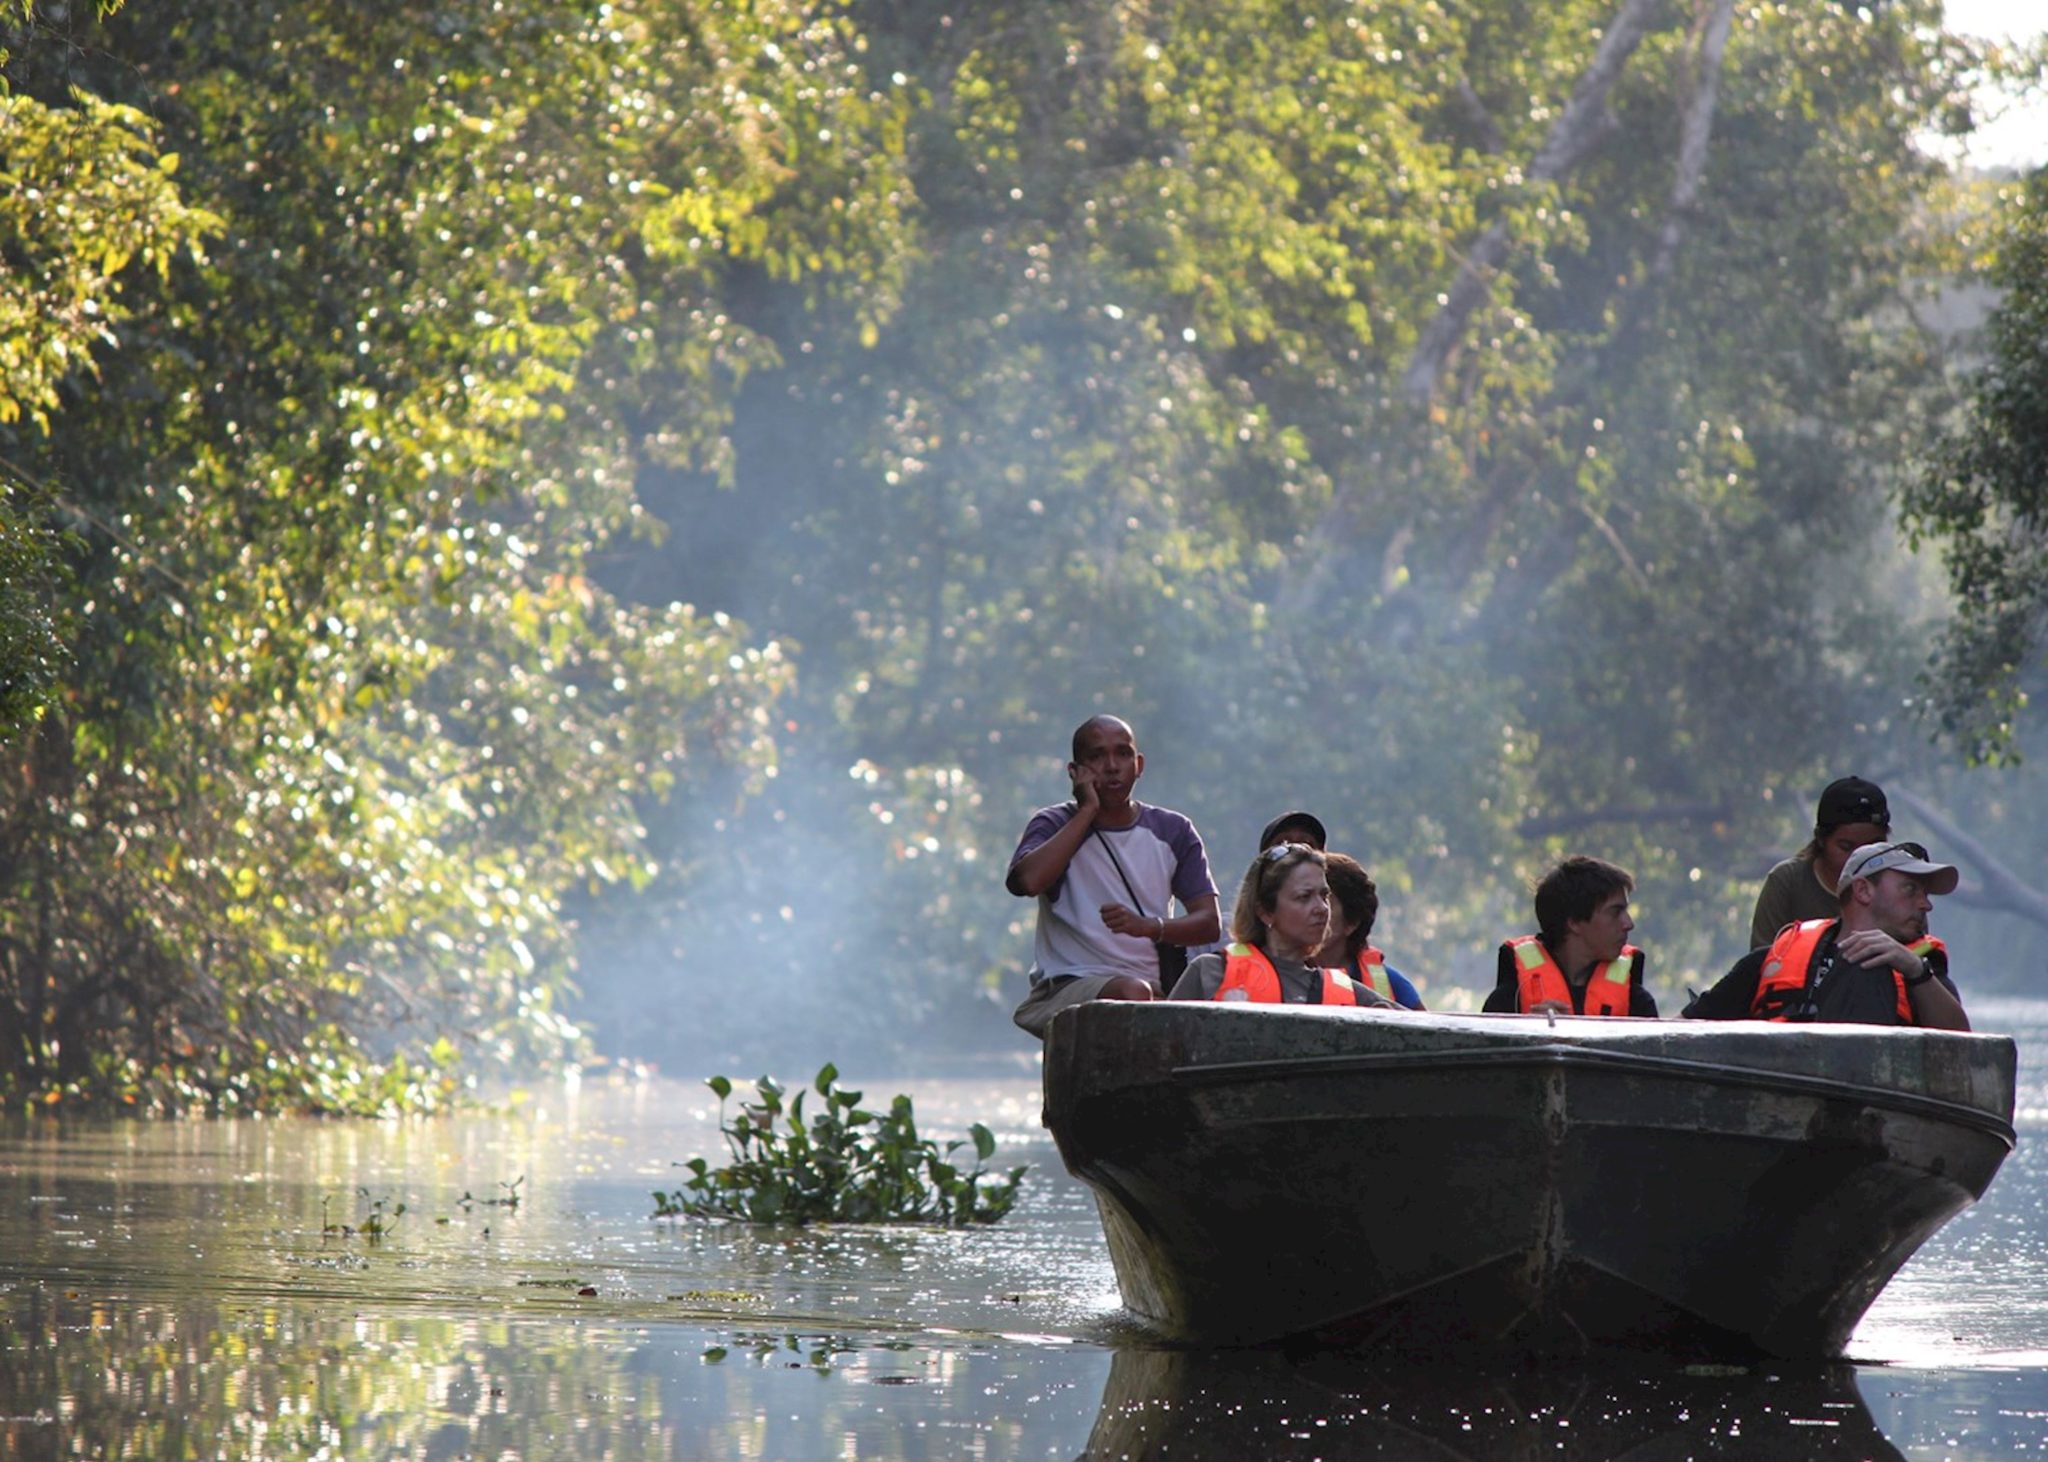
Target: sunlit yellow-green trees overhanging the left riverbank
pixel 349 714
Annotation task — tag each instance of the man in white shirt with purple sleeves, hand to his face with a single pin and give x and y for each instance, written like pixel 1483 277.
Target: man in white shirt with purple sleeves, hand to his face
pixel 1105 871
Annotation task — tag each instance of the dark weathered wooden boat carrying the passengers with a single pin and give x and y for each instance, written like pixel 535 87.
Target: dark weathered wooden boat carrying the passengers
pixel 1527 1182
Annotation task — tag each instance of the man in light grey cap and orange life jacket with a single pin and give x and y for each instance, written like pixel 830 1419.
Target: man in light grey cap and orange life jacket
pixel 1873 965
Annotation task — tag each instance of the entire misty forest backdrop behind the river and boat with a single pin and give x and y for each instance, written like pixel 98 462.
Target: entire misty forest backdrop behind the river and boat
pixel 550 533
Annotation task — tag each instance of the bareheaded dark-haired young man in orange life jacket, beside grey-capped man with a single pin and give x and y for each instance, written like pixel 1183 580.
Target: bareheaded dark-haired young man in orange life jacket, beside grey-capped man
pixel 1582 961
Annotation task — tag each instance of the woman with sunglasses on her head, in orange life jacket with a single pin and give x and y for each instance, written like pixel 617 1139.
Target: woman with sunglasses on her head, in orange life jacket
pixel 1279 922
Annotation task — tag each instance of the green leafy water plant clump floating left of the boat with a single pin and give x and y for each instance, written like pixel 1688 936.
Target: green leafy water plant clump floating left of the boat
pixel 843 1166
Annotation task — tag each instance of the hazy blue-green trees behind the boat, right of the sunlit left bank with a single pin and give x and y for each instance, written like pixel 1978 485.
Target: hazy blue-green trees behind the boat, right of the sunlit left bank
pixel 1146 437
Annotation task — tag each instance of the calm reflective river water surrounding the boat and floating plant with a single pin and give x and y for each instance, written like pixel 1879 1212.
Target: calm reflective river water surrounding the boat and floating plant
pixel 179 1289
